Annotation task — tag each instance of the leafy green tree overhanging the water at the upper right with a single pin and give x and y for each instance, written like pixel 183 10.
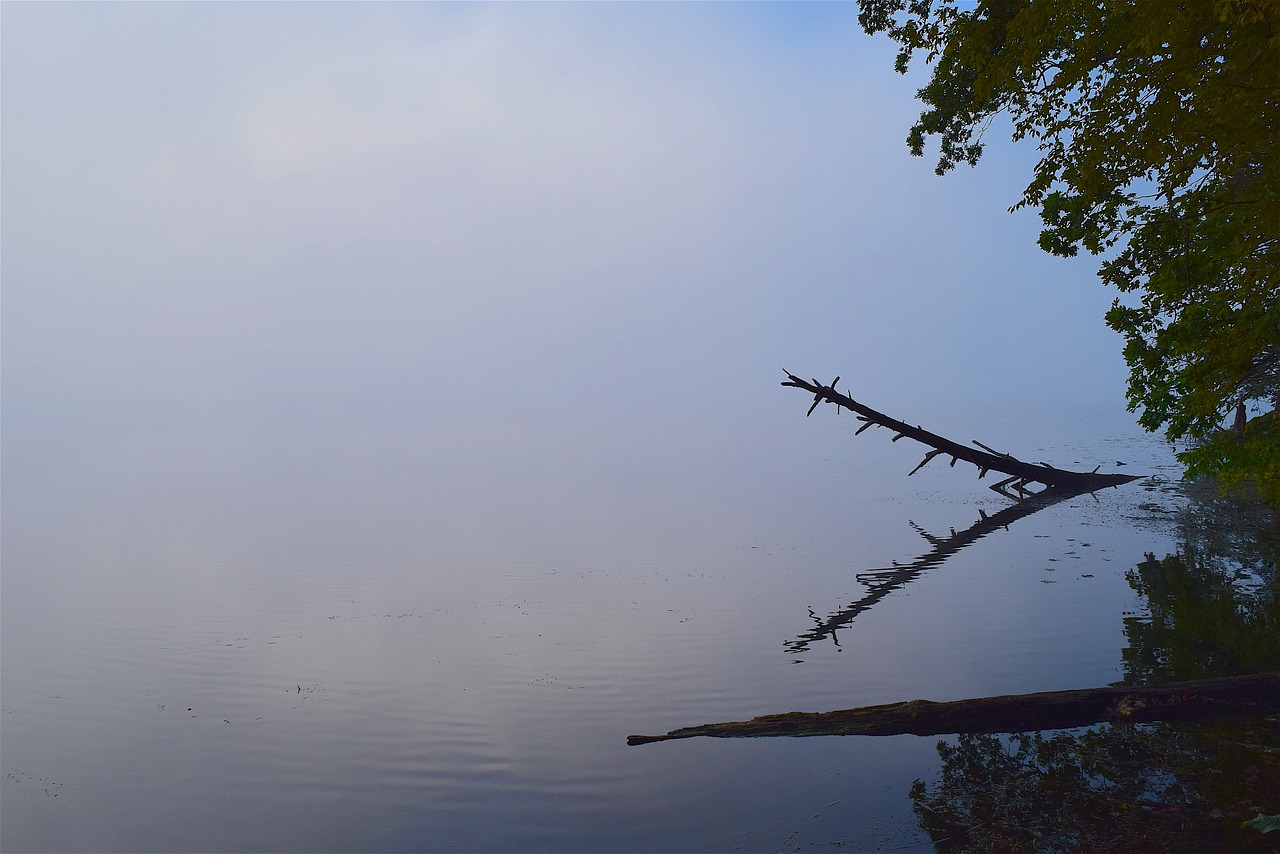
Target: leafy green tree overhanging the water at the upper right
pixel 1156 124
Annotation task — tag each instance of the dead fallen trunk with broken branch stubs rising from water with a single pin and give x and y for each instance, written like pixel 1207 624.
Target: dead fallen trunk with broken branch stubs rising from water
pixel 1021 474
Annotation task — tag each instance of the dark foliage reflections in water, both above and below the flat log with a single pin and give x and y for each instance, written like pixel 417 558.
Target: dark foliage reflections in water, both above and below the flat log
pixel 1212 610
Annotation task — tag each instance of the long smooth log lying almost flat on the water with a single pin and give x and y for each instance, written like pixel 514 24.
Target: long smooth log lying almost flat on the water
pixel 1200 700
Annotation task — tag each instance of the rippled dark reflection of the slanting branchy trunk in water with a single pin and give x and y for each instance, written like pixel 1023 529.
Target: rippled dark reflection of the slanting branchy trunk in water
pixel 881 583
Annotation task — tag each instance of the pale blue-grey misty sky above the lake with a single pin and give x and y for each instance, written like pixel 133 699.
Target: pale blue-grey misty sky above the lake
pixel 301 209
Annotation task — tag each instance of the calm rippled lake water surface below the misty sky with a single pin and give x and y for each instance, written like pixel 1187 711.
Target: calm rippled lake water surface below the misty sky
pixel 437 637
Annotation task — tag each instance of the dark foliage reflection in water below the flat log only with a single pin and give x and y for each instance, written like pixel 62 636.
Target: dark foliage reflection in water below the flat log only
pixel 1176 788
